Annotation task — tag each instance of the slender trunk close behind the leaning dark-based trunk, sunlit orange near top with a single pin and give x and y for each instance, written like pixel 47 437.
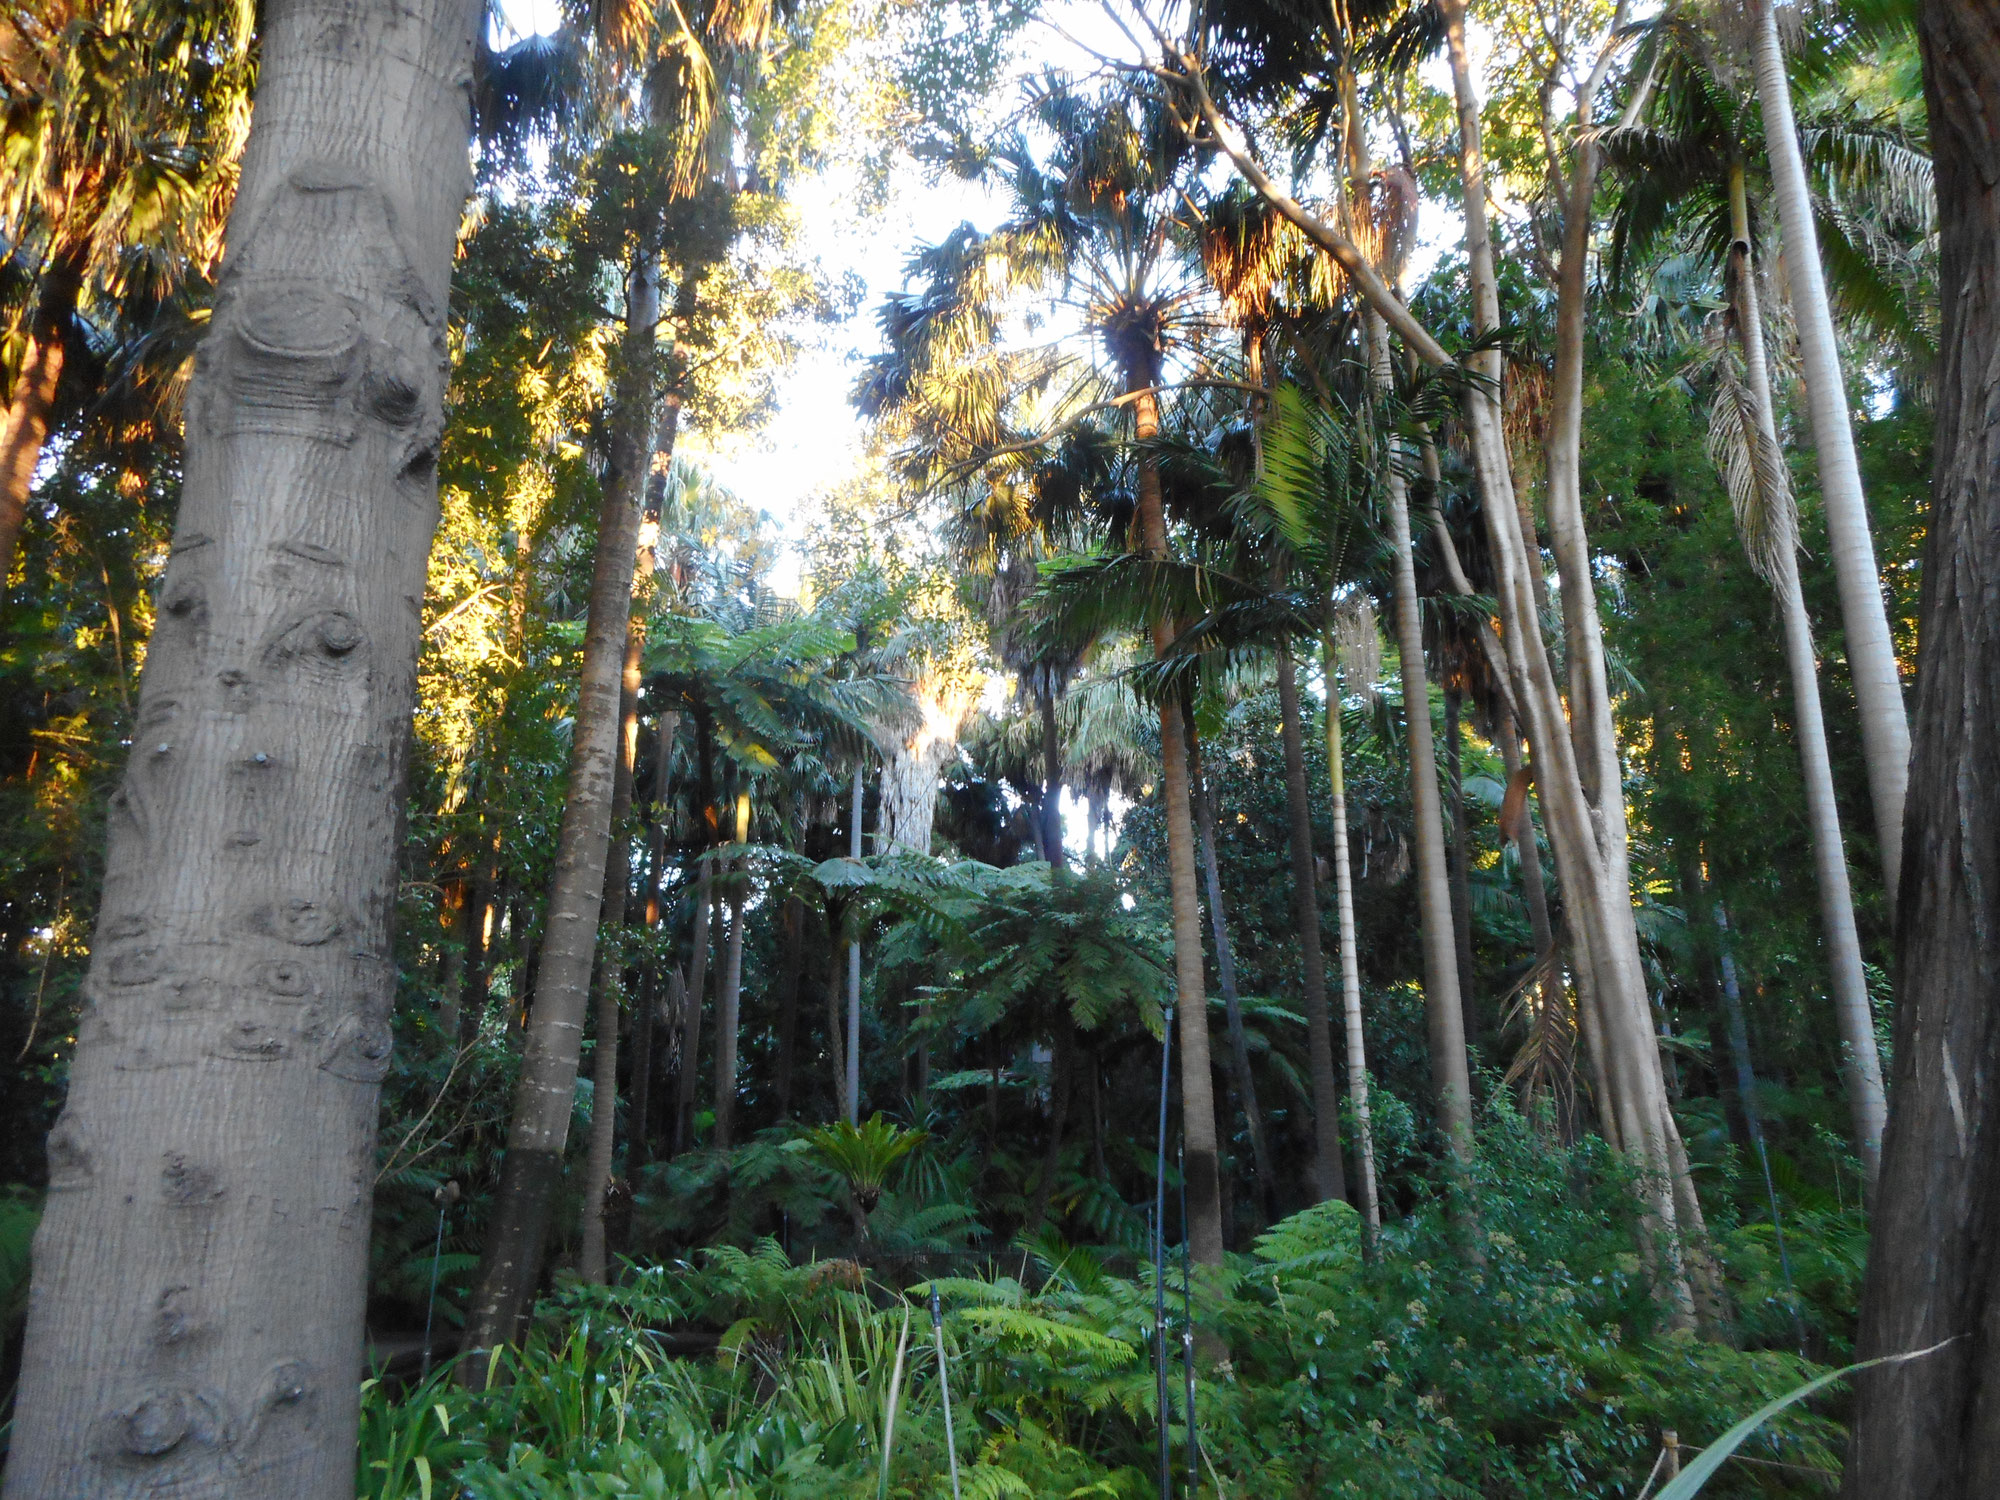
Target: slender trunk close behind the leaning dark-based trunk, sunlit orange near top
pixel 593 1257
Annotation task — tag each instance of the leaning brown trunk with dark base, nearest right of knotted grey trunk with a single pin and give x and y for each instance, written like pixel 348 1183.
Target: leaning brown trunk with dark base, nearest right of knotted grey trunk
pixel 547 1093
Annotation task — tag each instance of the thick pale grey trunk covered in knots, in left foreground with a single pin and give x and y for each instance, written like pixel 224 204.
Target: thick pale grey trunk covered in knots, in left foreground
pixel 203 1257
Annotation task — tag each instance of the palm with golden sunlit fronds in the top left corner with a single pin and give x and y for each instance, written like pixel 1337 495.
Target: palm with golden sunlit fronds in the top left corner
pixel 121 123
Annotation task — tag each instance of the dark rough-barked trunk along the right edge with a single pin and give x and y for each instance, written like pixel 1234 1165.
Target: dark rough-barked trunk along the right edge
pixel 1931 1429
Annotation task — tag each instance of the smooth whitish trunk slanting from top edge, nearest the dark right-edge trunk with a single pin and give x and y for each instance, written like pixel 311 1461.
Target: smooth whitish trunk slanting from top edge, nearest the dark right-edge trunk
pixel 1863 613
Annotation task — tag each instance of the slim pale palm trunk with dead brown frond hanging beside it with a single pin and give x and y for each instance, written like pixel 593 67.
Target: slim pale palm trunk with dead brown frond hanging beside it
pixel 1849 981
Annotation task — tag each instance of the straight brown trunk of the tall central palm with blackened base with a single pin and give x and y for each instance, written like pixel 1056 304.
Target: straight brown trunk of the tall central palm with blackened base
pixel 1197 1073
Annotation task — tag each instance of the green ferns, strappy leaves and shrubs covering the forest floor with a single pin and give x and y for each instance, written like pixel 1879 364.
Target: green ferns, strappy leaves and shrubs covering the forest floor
pixel 1499 1343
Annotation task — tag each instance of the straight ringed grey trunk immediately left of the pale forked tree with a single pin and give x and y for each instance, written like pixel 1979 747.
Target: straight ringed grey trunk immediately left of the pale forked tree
pixel 1449 1073
